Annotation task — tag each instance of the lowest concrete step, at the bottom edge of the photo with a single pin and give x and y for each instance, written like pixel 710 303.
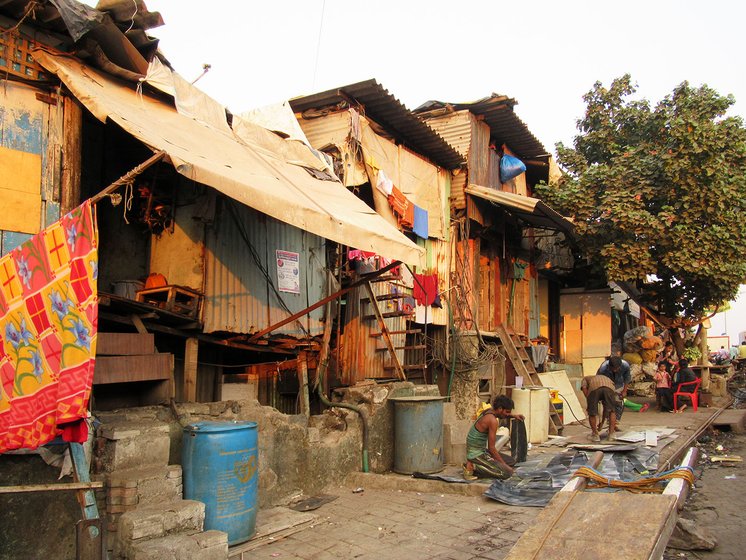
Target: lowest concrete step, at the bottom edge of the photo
pixel 209 545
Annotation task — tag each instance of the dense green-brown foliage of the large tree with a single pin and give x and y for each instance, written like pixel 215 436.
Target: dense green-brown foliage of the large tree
pixel 659 194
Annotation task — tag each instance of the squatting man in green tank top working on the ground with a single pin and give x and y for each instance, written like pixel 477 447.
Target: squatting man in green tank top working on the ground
pixel 482 457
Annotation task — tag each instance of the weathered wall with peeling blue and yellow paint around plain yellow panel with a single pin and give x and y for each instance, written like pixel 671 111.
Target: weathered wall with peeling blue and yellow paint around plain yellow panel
pixel 31 126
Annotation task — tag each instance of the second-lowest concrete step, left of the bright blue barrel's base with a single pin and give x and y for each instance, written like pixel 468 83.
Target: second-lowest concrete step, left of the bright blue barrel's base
pixel 160 520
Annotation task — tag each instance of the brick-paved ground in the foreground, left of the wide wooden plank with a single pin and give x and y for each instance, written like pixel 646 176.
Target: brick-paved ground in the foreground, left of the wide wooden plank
pixel 382 524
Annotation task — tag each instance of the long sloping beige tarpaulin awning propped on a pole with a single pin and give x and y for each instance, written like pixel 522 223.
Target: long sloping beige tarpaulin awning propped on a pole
pixel 252 175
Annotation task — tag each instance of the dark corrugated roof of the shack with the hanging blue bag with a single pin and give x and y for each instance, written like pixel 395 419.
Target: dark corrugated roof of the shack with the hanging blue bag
pixel 505 126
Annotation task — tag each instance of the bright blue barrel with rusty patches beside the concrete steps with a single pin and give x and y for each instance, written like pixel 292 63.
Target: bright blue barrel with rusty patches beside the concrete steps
pixel 220 465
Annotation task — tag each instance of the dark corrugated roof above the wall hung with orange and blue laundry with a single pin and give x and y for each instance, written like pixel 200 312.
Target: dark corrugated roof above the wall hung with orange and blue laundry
pixel 386 110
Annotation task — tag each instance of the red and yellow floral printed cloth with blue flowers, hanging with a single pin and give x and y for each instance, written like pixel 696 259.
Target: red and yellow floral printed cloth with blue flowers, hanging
pixel 48 321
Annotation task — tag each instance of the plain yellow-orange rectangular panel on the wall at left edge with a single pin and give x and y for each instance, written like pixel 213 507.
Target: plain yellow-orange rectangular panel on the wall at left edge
pixel 20 191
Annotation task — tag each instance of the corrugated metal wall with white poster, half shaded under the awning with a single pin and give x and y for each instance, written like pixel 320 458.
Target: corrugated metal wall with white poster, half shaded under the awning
pixel 238 296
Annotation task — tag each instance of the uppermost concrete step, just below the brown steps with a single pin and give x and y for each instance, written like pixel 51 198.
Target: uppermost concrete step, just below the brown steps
pixel 131 444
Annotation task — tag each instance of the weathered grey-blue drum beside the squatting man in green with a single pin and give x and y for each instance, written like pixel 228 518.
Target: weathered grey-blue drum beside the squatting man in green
pixel 418 434
